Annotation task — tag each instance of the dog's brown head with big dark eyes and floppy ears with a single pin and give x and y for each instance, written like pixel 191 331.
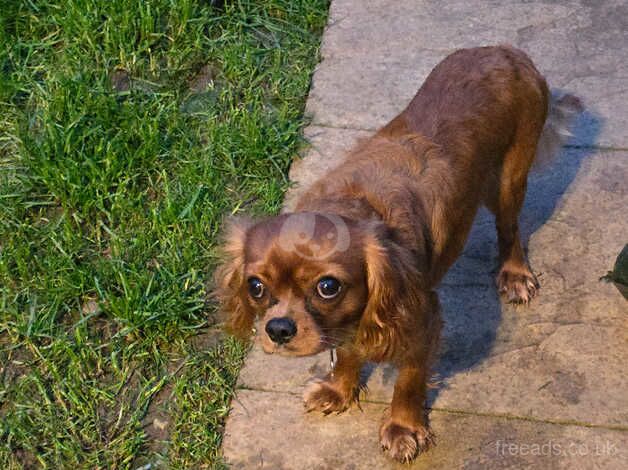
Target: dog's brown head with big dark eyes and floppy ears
pixel 316 281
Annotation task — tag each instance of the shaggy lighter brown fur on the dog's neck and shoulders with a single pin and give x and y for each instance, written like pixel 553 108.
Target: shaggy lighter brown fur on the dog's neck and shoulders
pixel 378 184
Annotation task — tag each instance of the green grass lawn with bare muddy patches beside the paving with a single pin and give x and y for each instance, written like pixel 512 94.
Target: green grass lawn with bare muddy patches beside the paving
pixel 128 129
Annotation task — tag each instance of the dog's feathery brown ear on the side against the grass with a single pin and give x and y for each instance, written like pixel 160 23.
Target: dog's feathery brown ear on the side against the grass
pixel 229 279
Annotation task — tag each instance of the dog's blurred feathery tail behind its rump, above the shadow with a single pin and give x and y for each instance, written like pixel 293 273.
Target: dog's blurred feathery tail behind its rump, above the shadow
pixel 563 111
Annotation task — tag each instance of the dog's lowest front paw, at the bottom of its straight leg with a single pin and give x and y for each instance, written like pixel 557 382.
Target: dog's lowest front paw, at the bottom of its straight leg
pixel 402 443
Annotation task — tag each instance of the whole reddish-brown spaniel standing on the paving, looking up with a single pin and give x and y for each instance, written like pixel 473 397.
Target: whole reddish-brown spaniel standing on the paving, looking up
pixel 356 265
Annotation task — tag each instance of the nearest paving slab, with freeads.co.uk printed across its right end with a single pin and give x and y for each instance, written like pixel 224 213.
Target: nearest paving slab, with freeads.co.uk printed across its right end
pixel 269 431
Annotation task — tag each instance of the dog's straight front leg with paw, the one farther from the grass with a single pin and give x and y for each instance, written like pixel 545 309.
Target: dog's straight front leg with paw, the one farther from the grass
pixel 405 431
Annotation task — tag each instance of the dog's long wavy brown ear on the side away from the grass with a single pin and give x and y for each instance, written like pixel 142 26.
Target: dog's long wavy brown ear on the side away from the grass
pixel 396 294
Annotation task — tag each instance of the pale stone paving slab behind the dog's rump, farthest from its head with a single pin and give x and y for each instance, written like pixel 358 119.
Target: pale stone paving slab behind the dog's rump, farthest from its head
pixel 377 53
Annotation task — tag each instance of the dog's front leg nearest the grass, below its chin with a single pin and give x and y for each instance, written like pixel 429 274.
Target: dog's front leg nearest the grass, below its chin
pixel 339 389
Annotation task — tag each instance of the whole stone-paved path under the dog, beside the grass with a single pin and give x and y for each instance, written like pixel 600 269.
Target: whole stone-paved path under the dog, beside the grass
pixel 544 387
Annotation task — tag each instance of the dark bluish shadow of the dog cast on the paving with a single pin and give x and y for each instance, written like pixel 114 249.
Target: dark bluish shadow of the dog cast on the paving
pixel 471 307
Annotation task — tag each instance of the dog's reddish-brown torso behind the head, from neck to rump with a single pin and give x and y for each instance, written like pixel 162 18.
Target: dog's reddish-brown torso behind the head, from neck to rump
pixel 468 137
